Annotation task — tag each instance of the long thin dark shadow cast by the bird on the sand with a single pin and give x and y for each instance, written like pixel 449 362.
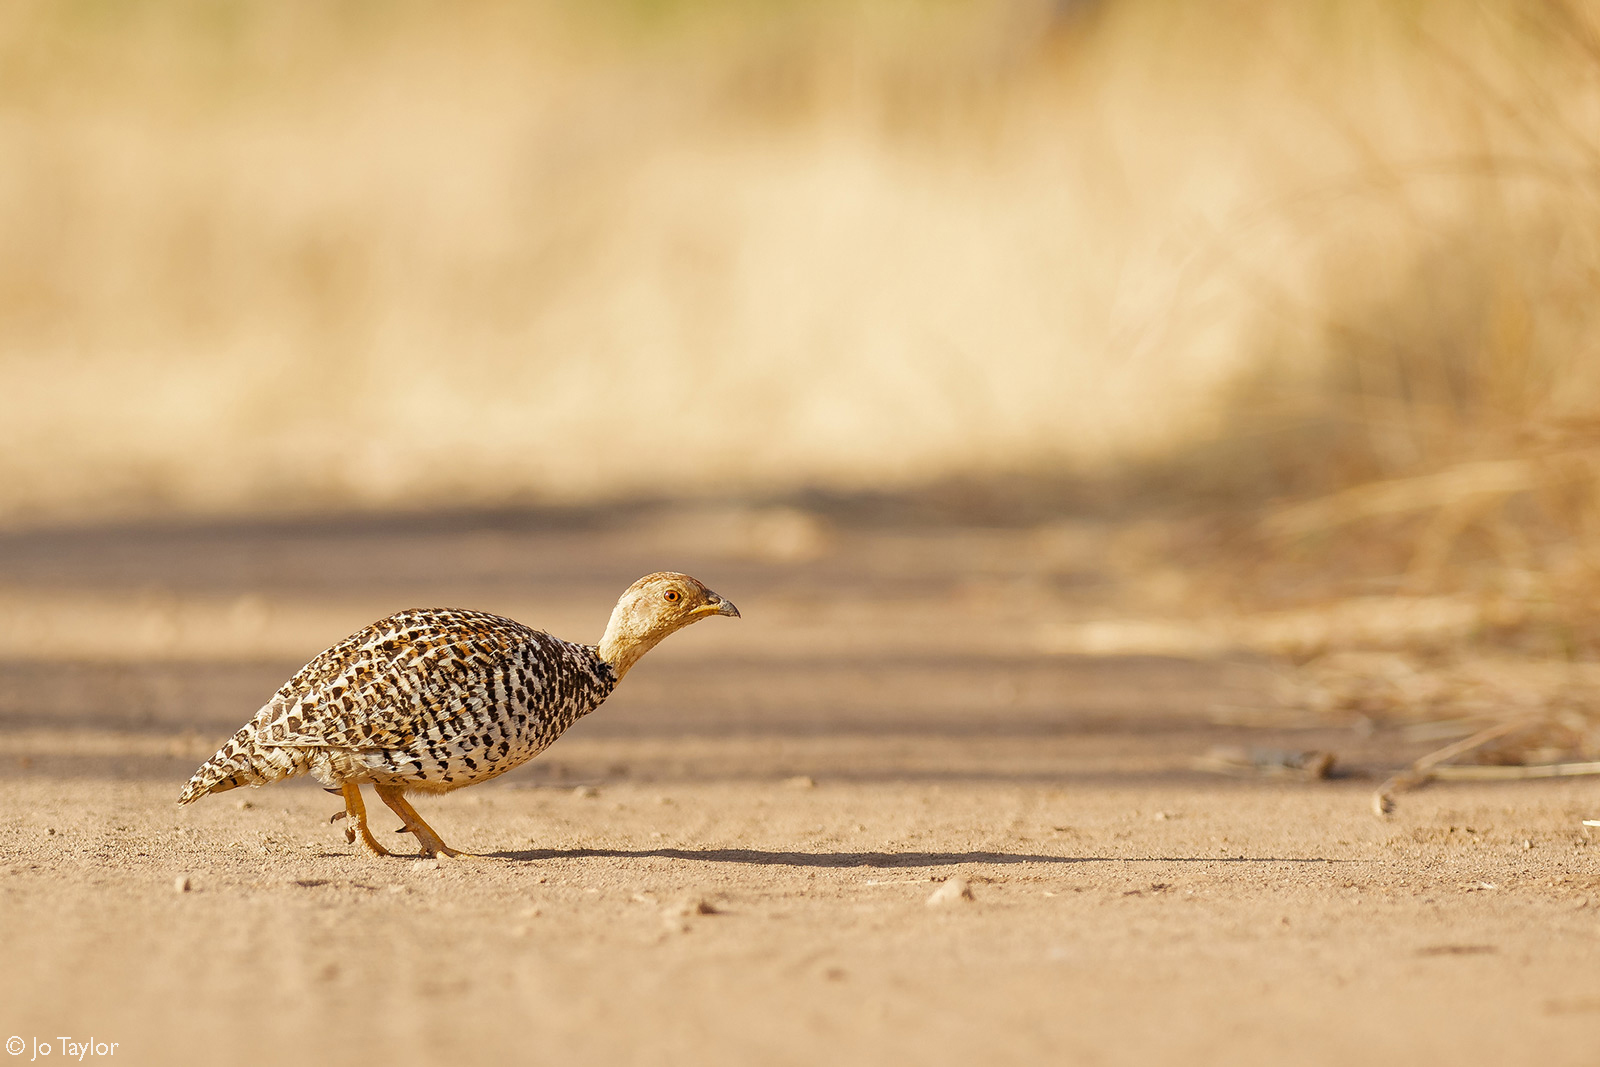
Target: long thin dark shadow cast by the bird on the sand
pixel 871 860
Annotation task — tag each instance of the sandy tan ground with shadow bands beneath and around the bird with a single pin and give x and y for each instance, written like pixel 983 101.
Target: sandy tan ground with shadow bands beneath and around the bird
pixel 732 863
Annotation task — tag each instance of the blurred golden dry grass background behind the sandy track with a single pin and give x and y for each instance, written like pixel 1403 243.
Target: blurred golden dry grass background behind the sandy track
pixel 1234 262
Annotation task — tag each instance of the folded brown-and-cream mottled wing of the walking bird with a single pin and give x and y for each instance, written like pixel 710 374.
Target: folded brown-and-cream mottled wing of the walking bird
pixel 402 682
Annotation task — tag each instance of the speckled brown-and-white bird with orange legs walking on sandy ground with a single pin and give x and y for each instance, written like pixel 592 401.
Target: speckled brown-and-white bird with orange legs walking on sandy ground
pixel 431 700
